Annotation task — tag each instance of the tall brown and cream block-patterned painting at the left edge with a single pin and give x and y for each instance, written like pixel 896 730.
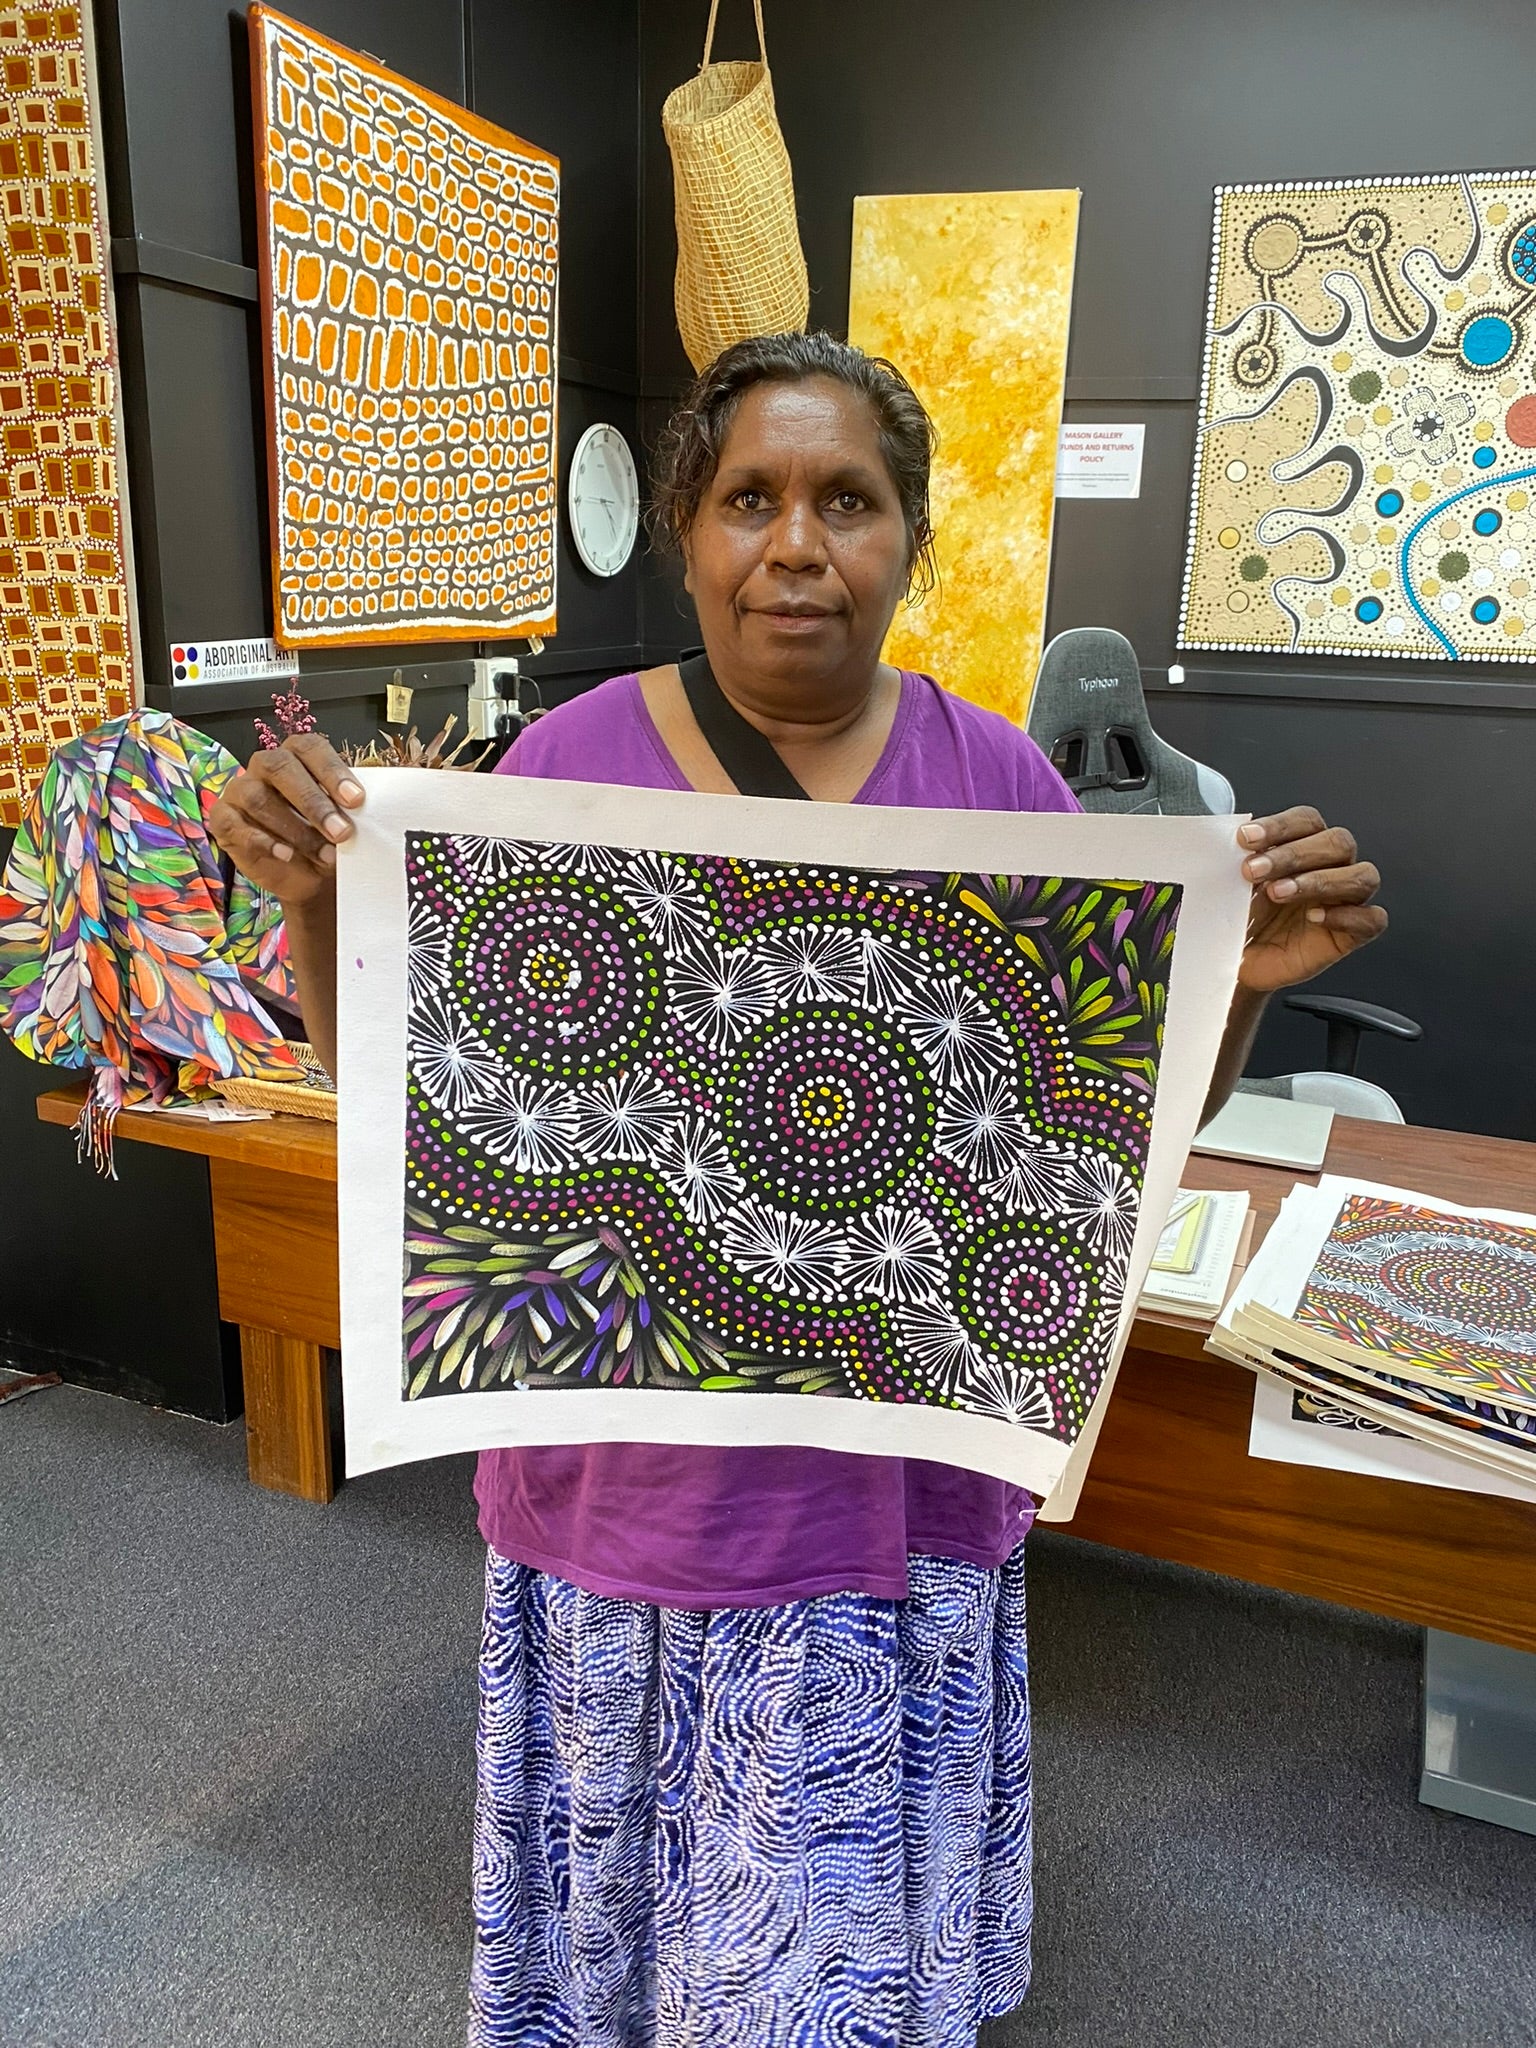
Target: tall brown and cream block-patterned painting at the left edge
pixel 65 544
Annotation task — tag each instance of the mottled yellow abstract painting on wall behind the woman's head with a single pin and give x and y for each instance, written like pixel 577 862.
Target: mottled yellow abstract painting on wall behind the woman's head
pixel 970 296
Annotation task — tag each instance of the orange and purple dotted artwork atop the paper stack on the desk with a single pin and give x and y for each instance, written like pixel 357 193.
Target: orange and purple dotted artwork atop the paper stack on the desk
pixel 1431 1289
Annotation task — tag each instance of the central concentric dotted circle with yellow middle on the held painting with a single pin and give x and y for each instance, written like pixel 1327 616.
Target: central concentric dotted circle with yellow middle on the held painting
pixel 828 1111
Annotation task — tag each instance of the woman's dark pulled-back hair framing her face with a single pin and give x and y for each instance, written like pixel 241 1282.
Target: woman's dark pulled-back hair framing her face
pixel 689 452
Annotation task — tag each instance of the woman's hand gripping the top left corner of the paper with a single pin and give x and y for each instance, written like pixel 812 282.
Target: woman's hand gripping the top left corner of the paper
pixel 284 818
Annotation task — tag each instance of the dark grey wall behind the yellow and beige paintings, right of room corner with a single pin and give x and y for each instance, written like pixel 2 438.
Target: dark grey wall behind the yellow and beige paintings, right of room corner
pixel 1148 108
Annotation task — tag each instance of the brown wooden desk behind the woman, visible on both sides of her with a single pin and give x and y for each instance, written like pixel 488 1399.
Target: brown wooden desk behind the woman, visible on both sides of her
pixel 1170 1478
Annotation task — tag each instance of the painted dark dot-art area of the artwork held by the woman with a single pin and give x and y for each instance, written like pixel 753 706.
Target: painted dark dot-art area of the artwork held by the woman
pixel 710 1123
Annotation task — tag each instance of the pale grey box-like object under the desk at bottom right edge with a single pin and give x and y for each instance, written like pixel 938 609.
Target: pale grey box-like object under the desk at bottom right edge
pixel 1480 1732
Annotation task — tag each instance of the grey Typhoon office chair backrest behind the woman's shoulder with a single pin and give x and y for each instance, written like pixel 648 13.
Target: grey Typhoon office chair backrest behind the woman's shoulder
pixel 1089 716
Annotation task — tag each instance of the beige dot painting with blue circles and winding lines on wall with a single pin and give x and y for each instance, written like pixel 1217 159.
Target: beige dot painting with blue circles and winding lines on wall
pixel 1367 447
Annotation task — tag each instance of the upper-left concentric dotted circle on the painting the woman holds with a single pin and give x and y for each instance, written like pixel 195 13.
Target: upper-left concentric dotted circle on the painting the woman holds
pixel 558 978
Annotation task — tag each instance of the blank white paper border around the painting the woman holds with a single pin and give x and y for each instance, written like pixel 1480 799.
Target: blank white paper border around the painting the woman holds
pixel 384 1426
